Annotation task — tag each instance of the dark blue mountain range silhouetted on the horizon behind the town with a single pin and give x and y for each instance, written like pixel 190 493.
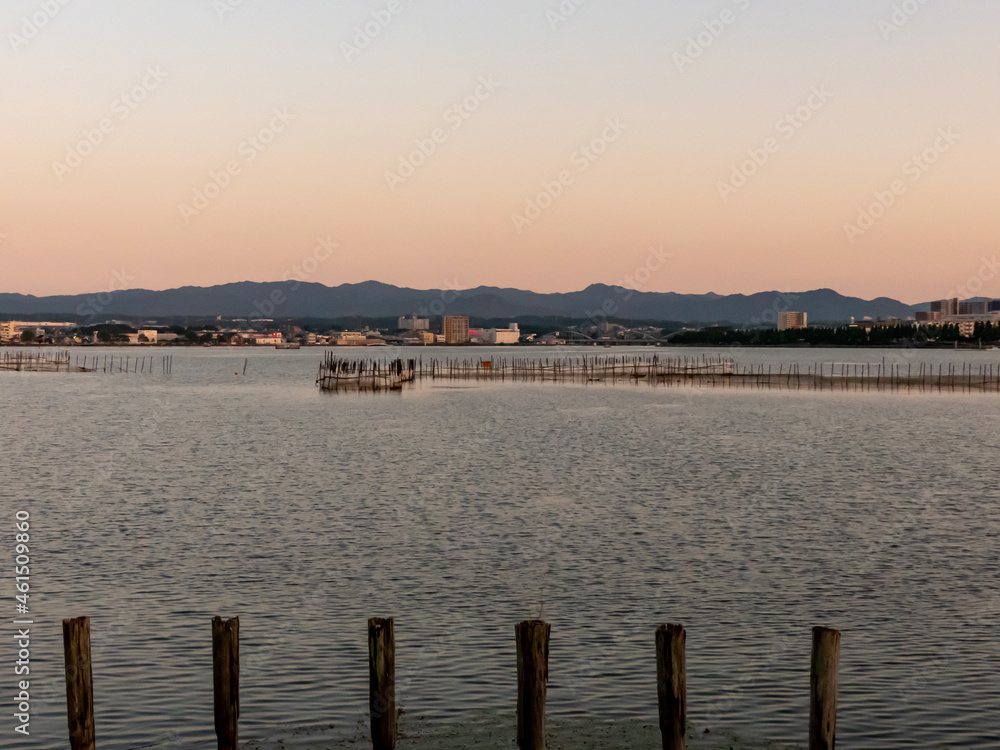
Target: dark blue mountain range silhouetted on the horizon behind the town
pixel 373 299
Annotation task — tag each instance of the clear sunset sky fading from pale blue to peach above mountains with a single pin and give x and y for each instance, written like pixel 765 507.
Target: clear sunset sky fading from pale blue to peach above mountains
pixel 763 145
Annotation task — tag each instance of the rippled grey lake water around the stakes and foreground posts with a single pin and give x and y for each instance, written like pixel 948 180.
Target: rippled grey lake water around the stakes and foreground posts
pixel 460 509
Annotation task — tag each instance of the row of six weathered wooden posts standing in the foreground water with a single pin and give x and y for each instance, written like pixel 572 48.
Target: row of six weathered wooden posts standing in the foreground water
pixel 532 646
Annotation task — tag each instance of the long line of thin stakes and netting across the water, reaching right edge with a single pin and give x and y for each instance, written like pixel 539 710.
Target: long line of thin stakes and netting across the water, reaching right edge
pixel 339 373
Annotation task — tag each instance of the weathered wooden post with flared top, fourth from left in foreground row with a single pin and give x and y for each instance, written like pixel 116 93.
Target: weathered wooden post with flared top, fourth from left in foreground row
pixel 532 678
